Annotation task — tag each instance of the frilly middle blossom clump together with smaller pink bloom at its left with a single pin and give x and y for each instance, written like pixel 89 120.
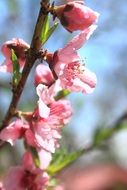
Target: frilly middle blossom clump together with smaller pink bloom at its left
pixel 43 129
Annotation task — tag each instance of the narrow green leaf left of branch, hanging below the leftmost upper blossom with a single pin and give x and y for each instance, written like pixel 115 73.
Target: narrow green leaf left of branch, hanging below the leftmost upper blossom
pixel 16 69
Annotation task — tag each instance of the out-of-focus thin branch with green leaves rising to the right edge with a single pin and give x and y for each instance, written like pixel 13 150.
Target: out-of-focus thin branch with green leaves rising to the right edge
pixel 100 137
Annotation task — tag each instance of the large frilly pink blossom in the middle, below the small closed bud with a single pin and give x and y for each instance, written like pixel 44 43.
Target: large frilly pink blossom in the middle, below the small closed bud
pixel 47 129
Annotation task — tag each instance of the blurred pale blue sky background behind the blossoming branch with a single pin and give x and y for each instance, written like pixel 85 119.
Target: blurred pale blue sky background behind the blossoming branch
pixel 105 54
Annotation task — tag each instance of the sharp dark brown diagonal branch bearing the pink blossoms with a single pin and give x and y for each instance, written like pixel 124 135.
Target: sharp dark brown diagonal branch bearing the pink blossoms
pixel 30 59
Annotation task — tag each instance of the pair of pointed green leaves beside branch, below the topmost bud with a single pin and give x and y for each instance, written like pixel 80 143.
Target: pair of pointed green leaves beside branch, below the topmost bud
pixel 46 30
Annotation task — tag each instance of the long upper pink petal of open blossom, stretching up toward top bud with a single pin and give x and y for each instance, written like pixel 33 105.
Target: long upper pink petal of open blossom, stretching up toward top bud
pixel 69 52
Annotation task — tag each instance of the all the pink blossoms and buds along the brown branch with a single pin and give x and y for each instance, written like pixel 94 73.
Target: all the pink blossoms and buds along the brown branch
pixel 41 129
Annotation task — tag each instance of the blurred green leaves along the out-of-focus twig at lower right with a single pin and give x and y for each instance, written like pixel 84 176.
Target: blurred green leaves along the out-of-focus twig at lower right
pixel 62 158
